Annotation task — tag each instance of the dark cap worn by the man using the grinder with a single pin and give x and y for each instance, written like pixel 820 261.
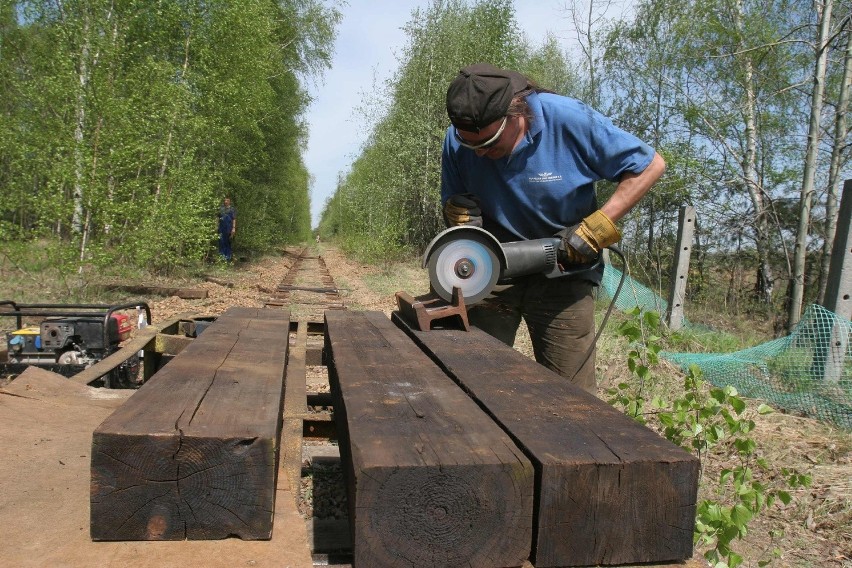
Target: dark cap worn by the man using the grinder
pixel 480 94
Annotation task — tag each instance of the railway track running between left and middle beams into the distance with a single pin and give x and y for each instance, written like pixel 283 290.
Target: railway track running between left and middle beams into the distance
pixel 310 460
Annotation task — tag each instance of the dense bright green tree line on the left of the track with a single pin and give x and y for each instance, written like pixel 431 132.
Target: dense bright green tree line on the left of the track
pixel 125 122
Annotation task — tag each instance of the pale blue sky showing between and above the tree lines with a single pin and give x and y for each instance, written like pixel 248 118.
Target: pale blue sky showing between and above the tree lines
pixel 369 39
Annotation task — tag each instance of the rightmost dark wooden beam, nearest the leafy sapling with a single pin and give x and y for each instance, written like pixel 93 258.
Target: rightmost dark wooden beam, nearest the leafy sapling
pixel 608 490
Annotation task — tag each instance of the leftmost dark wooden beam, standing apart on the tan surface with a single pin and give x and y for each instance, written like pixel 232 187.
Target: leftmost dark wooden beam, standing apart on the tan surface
pixel 193 454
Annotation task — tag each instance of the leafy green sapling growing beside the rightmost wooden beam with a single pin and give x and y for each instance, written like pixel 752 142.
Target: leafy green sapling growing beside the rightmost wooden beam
pixel 715 425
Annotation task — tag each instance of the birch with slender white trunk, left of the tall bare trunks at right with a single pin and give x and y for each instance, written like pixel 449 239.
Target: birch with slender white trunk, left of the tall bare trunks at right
pixel 736 95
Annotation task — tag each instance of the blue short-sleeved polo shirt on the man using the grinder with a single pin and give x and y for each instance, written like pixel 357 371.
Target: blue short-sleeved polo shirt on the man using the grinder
pixel 547 183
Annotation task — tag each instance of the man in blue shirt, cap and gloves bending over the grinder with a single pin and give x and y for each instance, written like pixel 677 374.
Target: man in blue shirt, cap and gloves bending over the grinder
pixel 522 162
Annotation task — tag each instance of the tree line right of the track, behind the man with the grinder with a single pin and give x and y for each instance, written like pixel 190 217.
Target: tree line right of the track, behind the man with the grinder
pixel 746 101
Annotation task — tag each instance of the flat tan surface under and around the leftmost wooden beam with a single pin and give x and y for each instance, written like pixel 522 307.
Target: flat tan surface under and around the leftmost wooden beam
pixel 46 424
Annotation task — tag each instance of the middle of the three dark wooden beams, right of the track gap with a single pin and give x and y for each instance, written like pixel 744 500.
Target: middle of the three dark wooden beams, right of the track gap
pixel 432 480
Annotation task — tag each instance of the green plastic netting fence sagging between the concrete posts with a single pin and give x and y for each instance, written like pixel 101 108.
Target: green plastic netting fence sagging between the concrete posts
pixel 807 372
